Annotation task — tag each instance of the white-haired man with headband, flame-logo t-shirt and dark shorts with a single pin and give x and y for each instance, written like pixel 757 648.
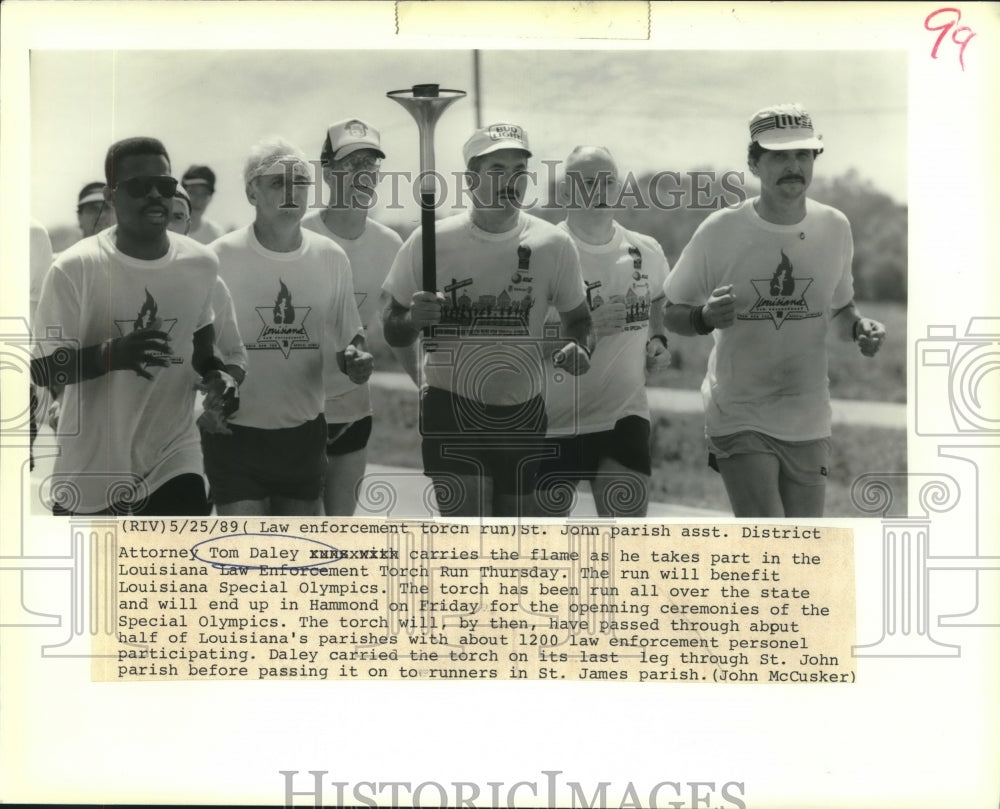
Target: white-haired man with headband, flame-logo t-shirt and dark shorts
pixel 294 298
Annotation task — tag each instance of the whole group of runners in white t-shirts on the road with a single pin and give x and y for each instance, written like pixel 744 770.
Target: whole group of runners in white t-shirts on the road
pixel 531 355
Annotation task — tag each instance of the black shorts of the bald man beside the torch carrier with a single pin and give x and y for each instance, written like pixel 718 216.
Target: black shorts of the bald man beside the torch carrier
pixel 578 457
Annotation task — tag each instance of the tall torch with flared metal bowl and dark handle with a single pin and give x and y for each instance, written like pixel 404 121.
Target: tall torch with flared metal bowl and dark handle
pixel 426 102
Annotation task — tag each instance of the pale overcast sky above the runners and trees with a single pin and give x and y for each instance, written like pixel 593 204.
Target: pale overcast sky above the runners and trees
pixel 659 110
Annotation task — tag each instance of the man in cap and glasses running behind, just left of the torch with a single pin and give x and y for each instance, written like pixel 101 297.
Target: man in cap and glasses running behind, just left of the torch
pixel 351 157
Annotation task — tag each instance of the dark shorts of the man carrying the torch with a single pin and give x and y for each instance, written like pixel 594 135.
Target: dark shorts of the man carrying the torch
pixel 463 437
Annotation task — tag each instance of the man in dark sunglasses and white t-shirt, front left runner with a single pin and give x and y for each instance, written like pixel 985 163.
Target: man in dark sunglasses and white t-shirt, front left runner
pixel 124 317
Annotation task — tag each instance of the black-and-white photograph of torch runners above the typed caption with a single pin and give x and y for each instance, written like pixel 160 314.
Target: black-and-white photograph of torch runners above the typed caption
pixel 560 288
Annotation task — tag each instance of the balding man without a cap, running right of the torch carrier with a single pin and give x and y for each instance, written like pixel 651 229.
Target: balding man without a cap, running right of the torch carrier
pixel 599 423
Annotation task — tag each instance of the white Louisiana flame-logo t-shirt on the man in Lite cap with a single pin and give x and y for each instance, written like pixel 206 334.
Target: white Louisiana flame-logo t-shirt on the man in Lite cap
pixel 768 372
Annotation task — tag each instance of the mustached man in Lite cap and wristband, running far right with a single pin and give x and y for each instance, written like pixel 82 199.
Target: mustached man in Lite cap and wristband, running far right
pixel 768 280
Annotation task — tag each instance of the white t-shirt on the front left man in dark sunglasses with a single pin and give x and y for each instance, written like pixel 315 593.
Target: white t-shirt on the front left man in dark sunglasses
pixel 119 426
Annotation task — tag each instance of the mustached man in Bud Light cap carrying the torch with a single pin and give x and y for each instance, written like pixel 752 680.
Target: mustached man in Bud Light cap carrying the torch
pixel 483 415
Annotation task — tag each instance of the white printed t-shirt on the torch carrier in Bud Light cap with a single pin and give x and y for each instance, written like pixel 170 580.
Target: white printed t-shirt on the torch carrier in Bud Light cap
pixel 498 288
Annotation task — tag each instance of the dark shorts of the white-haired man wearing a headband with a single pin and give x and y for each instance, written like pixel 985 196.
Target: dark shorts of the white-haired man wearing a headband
pixel 253 464
